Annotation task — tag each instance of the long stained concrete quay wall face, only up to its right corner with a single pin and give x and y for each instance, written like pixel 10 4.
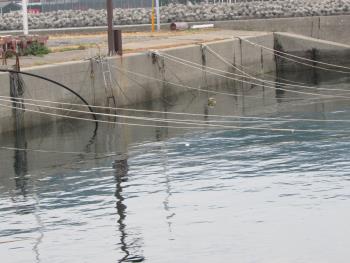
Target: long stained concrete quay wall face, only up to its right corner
pixel 85 77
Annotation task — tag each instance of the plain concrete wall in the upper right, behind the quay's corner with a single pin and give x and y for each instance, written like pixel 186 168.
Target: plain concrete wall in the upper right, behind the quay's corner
pixel 321 27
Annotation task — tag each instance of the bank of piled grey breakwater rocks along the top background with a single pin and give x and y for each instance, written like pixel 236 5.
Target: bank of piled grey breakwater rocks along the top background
pixel 178 12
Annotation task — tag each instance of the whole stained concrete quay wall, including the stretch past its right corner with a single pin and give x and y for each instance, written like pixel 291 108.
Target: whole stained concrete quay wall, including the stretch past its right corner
pixel 85 77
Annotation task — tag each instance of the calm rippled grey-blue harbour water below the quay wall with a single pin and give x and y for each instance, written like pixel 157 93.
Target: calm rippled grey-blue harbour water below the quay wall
pixel 198 195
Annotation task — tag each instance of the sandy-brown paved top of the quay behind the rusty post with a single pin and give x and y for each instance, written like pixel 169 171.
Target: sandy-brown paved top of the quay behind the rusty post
pixel 78 47
